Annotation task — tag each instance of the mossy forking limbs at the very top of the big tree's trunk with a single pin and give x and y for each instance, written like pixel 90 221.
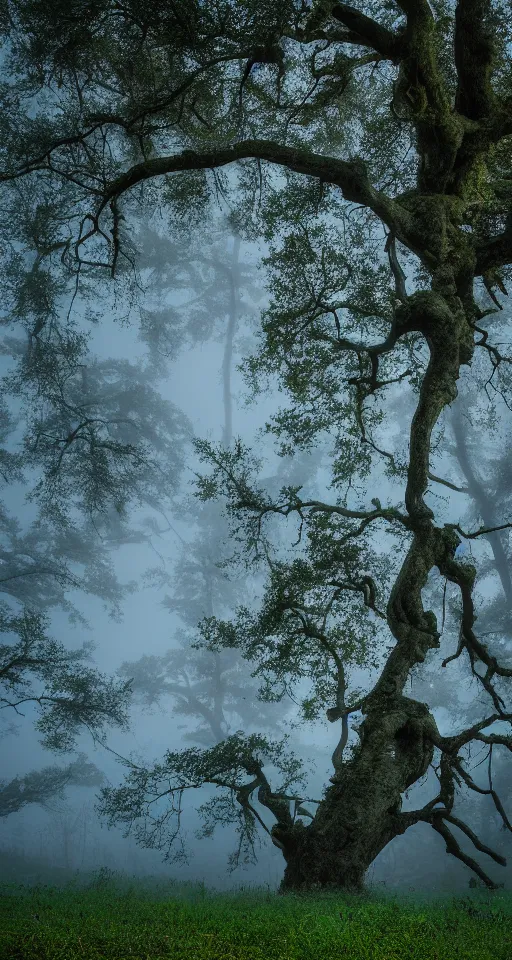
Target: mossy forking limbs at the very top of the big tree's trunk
pixel 448 143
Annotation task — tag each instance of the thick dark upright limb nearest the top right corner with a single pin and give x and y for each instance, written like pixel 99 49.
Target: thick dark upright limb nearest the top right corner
pixel 474 49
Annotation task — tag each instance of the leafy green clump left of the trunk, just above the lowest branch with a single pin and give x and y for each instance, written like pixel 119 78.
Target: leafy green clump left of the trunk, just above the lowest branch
pixel 304 622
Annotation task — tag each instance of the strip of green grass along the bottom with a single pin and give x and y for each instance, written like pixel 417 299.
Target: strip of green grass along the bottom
pixel 114 919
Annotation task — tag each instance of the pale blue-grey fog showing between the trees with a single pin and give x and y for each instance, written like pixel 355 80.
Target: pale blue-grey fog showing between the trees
pixel 199 377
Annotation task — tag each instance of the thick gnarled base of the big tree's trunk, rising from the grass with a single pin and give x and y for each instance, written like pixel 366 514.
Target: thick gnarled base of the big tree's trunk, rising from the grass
pixel 360 812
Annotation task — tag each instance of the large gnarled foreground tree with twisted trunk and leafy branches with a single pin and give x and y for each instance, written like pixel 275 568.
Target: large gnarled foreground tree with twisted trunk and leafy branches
pixel 152 104
